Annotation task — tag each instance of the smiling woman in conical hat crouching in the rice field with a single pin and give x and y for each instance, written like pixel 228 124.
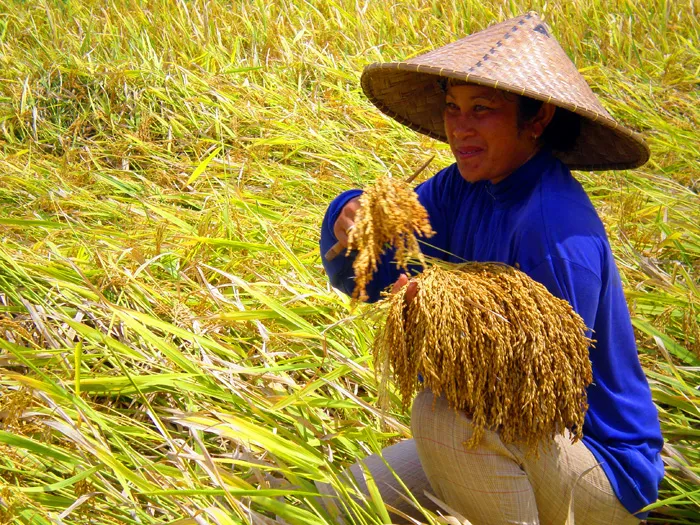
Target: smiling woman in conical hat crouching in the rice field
pixel 511 198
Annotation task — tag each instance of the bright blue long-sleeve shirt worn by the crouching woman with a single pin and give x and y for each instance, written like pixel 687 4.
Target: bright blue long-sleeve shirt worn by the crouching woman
pixel 540 219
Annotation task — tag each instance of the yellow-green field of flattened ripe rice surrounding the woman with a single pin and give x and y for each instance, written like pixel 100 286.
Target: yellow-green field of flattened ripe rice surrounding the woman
pixel 170 349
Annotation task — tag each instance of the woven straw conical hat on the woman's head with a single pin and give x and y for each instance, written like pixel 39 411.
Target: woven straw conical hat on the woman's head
pixel 520 56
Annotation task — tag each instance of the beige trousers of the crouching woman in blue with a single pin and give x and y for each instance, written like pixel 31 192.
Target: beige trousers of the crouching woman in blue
pixel 494 483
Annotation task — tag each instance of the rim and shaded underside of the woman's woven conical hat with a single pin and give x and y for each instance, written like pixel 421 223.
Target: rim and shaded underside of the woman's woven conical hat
pixel 411 94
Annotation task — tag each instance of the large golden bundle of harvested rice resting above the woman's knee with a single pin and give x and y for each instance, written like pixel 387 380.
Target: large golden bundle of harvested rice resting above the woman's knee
pixel 497 345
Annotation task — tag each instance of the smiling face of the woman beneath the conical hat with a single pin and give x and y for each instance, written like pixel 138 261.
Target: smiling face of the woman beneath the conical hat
pixel 482 130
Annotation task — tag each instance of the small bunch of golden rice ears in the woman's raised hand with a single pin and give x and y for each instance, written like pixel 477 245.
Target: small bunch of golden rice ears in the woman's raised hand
pixel 390 214
